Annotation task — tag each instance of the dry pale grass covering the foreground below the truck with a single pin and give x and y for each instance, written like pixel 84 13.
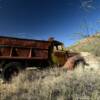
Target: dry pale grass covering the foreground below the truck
pixel 53 84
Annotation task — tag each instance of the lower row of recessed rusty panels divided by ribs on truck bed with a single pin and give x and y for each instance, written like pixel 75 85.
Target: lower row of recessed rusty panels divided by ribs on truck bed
pixel 19 52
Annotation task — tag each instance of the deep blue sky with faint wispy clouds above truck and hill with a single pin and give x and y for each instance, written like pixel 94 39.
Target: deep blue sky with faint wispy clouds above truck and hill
pixel 40 19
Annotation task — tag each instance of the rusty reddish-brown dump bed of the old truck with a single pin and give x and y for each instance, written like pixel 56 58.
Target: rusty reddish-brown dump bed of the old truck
pixel 15 48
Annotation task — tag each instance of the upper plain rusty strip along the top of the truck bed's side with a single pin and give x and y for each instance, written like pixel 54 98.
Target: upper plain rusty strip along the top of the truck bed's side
pixel 24 43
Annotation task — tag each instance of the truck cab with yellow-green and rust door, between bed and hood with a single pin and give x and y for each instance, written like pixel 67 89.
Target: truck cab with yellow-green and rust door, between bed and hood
pixel 58 54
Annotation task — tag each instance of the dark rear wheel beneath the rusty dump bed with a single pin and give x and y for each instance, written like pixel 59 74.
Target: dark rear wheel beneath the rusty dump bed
pixel 11 70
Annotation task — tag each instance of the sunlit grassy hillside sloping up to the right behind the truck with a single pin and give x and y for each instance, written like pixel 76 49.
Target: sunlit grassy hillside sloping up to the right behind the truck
pixel 89 44
